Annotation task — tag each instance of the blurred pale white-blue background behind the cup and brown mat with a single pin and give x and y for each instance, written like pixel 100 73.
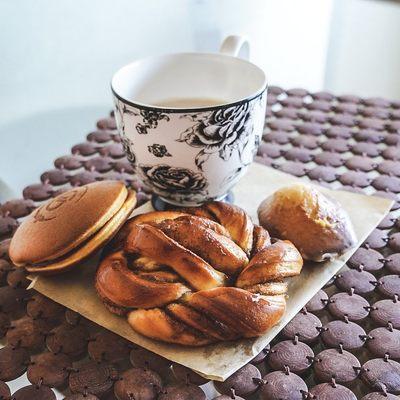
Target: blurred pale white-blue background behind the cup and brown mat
pixel 57 58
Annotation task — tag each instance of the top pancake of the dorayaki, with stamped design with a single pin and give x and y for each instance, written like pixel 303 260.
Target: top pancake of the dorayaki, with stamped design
pixel 65 222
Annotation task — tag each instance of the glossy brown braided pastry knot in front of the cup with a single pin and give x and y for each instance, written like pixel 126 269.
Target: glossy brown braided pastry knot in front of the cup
pixel 197 276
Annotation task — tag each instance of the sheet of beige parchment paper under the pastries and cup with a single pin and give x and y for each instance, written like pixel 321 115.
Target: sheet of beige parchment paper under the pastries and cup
pixel 75 290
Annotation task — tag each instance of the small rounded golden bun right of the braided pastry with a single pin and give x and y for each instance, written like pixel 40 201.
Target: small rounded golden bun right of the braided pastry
pixel 317 225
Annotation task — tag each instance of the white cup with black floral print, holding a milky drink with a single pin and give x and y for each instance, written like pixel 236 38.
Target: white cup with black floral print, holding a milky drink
pixel 191 123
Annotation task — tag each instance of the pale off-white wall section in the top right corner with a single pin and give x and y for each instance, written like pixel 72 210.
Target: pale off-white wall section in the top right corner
pixel 364 50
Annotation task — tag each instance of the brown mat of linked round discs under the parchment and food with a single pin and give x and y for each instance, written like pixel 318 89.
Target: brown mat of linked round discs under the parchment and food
pixel 345 344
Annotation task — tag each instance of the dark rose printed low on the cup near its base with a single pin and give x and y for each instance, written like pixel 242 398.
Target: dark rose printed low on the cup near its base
pixel 171 180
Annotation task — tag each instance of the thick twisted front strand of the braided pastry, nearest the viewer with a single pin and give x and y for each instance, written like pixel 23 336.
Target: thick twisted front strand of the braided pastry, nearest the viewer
pixel 193 325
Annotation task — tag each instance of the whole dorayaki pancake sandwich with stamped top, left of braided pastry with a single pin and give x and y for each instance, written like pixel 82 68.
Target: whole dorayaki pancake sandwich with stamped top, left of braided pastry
pixel 70 227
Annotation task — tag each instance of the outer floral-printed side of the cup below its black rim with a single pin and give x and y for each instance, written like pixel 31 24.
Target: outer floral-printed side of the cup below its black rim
pixel 188 156
